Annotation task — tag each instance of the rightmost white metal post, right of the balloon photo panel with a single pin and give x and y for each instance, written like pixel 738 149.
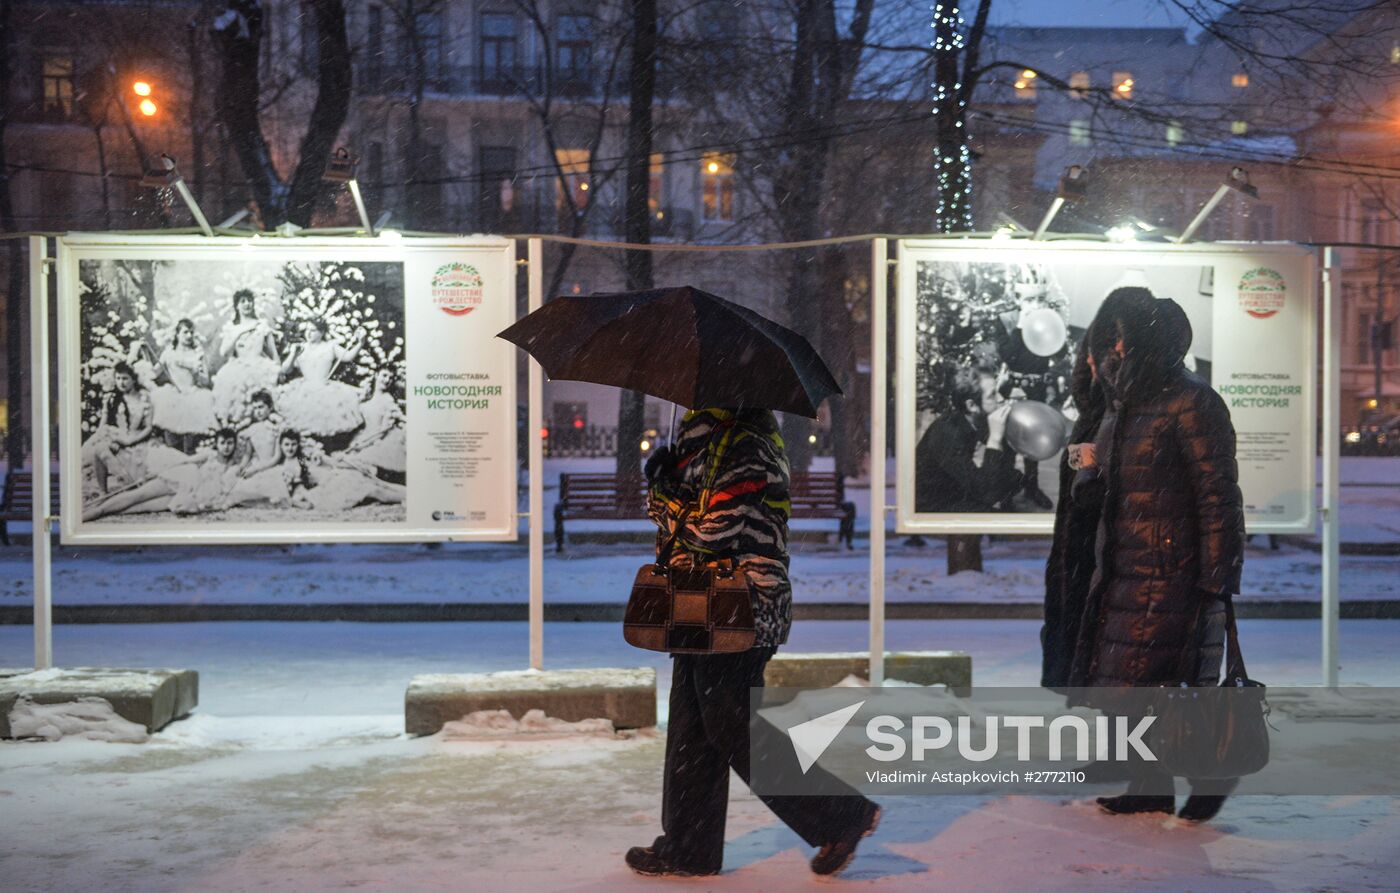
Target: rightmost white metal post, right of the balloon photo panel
pixel 1331 465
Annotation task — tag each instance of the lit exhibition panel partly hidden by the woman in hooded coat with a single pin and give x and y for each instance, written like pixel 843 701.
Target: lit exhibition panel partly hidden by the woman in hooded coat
pixel 983 325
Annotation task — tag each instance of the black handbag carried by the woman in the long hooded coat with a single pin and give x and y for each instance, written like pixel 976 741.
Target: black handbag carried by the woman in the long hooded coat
pixel 1220 733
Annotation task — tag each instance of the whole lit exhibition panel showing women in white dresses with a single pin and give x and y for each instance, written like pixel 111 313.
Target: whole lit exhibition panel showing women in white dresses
pixel 300 390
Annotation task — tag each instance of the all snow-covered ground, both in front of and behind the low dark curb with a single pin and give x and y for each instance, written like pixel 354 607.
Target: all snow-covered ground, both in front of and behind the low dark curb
pixel 295 775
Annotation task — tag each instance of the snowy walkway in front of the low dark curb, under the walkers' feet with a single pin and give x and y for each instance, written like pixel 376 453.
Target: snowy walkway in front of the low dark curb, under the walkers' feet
pixel 295 776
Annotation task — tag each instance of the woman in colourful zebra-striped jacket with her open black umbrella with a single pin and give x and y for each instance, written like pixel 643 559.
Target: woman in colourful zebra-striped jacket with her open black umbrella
pixel 720 493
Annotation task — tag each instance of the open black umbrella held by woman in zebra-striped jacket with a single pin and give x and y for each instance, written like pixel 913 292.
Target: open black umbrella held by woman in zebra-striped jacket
pixel 681 345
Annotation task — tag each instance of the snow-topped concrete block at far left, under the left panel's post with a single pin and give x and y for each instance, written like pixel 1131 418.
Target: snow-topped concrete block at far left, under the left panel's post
pixel 149 698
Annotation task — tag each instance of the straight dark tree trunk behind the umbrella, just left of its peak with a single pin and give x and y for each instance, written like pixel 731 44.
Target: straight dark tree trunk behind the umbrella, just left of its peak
pixel 632 407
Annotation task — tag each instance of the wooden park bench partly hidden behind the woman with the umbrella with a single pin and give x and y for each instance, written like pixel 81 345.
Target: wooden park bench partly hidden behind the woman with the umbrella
pixel 597 498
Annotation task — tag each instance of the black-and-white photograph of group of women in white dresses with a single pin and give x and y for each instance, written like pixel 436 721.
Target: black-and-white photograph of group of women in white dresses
pixel 247 393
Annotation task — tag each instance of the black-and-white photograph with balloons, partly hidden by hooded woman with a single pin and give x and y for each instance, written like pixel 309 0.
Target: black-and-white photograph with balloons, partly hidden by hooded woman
pixel 996 348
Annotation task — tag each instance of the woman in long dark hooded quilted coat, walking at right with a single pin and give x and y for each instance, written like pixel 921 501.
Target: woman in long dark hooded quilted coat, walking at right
pixel 1170 540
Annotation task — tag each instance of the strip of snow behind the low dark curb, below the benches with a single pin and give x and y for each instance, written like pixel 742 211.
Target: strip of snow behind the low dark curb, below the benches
pixel 589 573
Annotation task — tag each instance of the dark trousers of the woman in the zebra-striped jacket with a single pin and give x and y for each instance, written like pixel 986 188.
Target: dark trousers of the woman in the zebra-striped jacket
pixel 709 736
